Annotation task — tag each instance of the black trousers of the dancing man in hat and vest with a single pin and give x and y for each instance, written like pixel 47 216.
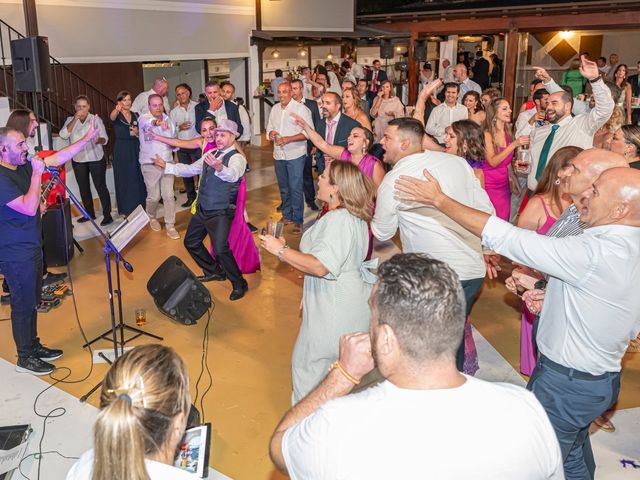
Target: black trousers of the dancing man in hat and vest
pixel 216 224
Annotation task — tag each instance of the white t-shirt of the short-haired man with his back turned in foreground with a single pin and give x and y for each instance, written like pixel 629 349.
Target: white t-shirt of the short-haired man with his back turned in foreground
pixel 478 431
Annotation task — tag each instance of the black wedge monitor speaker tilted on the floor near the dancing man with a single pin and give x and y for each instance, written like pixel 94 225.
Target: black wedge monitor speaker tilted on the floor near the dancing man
pixel 178 293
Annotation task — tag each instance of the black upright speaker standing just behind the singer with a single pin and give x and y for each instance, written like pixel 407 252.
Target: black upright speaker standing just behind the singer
pixel 56 225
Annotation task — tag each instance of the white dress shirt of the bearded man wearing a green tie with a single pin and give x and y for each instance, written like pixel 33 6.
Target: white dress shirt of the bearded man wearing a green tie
pixel 575 131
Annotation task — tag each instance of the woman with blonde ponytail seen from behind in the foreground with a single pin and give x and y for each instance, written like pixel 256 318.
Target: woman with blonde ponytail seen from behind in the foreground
pixel 144 407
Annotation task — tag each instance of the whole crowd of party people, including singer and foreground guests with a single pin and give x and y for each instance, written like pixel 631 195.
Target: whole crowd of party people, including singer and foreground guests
pixel 559 195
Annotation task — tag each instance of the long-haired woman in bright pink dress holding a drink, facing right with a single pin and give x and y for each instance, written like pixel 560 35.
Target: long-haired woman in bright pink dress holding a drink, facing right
pixel 499 150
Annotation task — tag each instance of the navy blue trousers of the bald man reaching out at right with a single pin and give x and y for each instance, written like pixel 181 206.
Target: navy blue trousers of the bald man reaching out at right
pixel 572 404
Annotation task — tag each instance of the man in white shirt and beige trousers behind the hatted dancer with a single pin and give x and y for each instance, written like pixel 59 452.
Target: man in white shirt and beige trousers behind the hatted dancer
pixel 159 184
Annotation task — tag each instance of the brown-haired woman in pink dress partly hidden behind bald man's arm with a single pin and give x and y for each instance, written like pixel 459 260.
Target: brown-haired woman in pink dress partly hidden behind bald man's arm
pixel 546 204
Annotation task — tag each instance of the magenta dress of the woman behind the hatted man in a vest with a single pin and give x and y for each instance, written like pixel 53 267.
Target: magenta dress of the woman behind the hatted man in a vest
pixel 241 242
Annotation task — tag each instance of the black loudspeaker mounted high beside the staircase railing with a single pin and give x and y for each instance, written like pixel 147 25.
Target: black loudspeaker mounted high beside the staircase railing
pixel 31 66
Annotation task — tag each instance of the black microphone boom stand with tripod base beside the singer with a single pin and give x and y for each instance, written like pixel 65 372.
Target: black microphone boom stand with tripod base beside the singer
pixel 109 248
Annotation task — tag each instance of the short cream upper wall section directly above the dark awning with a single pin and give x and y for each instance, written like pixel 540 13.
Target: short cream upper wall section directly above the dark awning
pixel 313 15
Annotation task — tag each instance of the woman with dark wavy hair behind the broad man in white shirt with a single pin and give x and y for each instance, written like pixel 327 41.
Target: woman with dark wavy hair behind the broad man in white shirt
pixel 464 139
